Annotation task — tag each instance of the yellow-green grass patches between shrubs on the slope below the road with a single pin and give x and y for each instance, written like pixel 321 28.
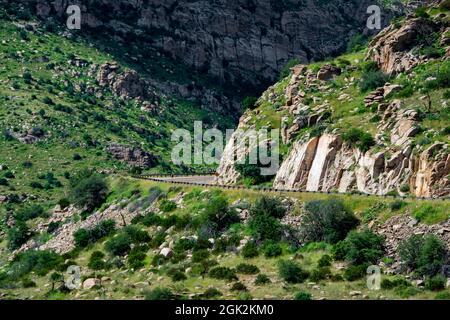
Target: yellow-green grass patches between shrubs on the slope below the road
pixel 130 284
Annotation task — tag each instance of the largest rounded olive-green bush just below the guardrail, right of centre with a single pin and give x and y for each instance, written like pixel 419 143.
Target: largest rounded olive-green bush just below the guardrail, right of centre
pixel 327 220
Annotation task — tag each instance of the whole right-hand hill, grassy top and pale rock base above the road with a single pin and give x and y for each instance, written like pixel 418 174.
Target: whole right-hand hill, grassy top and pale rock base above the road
pixel 375 121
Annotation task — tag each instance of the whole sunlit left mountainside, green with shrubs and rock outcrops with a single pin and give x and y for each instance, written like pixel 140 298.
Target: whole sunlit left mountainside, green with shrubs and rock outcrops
pixel 65 105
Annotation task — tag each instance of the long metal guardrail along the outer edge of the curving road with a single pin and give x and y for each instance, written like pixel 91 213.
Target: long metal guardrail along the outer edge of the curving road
pixel 159 177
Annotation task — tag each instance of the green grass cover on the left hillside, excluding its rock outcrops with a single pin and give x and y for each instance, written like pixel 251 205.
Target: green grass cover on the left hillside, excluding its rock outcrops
pixel 103 120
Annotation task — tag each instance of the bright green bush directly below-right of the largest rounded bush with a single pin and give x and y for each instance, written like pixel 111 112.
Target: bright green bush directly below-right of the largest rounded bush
pixel 363 247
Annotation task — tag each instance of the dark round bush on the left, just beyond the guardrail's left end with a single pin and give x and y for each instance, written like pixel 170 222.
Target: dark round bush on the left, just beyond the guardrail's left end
pixel 89 191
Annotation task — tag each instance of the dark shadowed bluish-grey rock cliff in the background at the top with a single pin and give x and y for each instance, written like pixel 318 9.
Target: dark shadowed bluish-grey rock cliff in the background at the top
pixel 236 41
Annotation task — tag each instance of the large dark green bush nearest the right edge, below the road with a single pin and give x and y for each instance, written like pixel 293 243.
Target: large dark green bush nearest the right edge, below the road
pixel 426 255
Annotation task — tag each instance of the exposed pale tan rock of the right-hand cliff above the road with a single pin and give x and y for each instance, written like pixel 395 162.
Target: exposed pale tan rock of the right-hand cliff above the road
pixel 327 162
